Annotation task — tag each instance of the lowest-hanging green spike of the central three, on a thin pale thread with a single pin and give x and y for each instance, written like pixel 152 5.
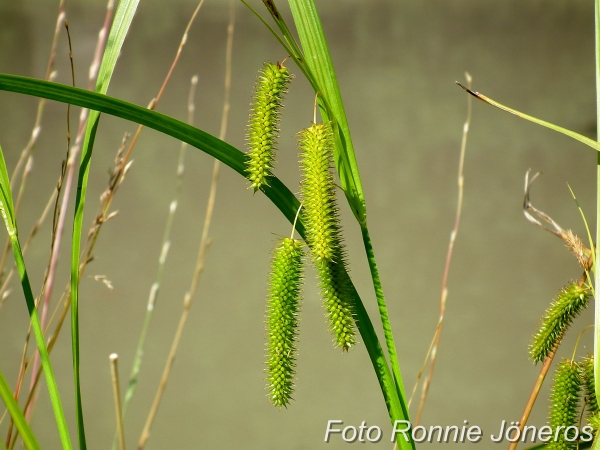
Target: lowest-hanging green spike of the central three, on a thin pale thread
pixel 282 319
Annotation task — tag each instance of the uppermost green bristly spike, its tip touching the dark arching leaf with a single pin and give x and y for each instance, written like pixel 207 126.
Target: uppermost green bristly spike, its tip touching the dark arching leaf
pixel 271 85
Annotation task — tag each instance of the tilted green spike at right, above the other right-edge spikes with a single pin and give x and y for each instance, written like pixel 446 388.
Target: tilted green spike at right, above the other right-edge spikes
pixel 568 303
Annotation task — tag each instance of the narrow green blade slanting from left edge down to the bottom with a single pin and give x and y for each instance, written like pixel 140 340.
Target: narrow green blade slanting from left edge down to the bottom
pixel 8 215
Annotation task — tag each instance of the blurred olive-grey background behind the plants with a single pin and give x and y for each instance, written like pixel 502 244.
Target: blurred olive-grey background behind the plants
pixel 396 62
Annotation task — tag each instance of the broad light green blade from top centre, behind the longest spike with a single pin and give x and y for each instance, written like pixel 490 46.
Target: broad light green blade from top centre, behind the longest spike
pixel 318 60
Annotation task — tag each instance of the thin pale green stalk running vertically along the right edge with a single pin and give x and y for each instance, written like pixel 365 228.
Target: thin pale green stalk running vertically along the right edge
pixel 596 445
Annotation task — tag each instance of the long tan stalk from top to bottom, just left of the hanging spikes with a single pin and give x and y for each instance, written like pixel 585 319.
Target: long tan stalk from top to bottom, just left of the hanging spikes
pixel 204 243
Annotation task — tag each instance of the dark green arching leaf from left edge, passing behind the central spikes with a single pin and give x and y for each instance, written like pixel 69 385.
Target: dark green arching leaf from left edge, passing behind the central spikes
pixel 278 193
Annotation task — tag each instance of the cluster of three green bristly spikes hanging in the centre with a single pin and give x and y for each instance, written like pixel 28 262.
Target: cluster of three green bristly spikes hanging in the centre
pixel 323 235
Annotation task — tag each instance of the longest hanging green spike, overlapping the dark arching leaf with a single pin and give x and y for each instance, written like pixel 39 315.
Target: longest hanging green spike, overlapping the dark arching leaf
pixel 323 233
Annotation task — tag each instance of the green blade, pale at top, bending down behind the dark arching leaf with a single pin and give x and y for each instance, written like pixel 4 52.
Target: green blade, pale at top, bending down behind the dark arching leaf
pixel 123 16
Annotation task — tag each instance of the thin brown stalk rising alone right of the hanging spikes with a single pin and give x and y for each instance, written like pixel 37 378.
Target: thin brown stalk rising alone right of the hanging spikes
pixel 453 235
